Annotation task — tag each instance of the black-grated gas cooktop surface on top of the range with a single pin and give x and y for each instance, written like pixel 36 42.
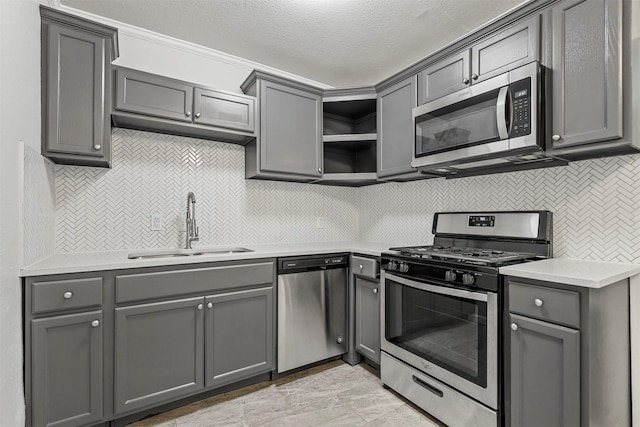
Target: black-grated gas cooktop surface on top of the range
pixel 464 255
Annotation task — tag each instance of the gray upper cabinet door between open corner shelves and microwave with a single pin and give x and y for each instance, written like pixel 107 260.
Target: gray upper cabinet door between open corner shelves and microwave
pixel 396 128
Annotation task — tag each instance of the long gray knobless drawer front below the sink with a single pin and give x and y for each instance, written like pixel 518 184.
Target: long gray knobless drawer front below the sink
pixel 162 284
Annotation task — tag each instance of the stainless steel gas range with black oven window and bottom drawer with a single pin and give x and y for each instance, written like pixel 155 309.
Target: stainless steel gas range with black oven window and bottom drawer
pixel 442 308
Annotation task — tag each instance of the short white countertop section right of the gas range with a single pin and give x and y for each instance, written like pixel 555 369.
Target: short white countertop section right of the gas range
pixel 590 274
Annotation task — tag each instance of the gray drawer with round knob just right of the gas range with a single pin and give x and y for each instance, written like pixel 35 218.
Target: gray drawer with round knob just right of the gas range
pixel 554 305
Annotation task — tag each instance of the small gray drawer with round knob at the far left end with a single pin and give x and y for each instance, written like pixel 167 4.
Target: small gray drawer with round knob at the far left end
pixel 66 294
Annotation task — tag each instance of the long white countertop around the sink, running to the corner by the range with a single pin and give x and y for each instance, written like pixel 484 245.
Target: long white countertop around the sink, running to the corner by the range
pixel 78 262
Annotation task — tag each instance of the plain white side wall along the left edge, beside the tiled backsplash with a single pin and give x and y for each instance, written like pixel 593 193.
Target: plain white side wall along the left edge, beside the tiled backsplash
pixel 19 121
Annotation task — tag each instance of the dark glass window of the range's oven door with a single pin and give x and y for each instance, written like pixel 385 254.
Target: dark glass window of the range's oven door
pixel 448 331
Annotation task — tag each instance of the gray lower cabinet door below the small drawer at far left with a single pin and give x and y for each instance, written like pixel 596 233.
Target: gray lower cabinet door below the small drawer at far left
pixel 67 377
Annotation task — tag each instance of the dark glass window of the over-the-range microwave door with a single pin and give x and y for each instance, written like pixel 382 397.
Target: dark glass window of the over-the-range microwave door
pixel 467 123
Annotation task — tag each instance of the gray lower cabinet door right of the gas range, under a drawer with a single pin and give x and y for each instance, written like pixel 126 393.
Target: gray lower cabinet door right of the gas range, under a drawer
pixel 545 374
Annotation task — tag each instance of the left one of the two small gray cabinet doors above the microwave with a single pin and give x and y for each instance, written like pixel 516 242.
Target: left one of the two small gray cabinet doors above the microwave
pixel 444 77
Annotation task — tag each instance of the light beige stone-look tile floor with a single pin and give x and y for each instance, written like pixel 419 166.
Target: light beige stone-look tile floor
pixel 334 394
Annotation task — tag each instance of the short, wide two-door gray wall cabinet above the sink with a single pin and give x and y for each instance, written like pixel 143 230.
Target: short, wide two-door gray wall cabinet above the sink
pixel 160 104
